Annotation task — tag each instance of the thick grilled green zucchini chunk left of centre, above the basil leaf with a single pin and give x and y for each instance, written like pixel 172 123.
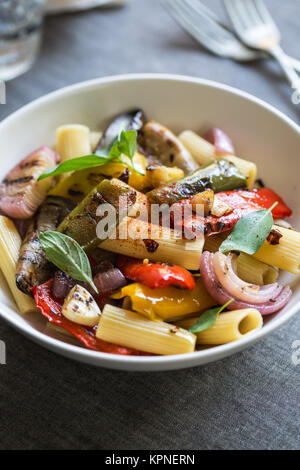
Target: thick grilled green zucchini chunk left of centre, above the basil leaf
pixel 81 223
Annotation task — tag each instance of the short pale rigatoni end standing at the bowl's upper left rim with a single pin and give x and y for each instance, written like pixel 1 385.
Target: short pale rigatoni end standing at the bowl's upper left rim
pixel 73 141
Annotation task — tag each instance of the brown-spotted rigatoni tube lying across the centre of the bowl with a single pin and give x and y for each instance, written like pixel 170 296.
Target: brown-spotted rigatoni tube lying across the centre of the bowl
pixel 165 245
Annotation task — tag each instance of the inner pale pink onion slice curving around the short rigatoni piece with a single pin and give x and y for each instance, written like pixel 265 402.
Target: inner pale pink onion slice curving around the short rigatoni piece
pixel 225 271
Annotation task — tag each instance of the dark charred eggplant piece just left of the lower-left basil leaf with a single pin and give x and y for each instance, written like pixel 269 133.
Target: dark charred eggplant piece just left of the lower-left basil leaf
pixel 33 268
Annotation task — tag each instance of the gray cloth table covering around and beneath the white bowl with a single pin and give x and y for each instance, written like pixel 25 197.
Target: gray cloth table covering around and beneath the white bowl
pixel 248 401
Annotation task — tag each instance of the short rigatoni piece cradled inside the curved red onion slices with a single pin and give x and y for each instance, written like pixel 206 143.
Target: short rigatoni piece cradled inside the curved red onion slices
pixel 254 271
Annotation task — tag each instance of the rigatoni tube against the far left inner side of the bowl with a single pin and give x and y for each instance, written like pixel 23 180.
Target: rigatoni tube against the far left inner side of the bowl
pixel 10 243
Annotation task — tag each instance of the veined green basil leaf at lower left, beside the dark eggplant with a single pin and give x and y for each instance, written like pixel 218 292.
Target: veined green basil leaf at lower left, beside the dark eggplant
pixel 68 256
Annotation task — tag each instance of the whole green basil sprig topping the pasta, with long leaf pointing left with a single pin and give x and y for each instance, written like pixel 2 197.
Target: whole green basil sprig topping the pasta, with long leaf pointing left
pixel 125 144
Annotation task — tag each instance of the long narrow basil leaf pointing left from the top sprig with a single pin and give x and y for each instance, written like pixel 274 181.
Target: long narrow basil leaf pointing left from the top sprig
pixel 74 164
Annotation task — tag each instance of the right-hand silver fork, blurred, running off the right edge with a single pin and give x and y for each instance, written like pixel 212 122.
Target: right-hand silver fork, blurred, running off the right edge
pixel 256 28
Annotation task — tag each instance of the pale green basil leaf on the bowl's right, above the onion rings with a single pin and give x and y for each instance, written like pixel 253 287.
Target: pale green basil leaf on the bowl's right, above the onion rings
pixel 250 232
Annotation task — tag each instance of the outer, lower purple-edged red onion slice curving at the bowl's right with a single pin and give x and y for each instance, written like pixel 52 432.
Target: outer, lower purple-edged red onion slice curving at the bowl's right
pixel 222 296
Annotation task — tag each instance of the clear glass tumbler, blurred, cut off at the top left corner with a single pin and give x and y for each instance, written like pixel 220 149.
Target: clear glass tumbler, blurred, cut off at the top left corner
pixel 20 35
